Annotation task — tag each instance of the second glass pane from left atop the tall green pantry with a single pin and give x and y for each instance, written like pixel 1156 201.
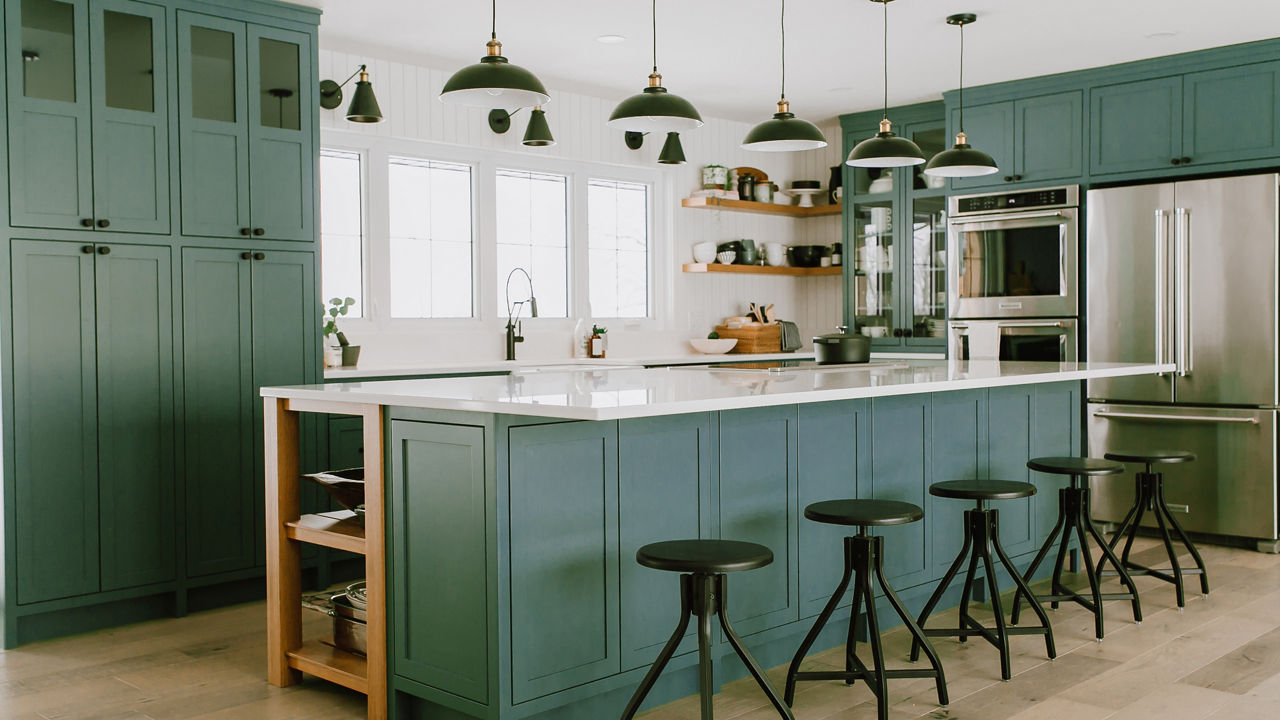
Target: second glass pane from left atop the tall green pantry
pixel 130 67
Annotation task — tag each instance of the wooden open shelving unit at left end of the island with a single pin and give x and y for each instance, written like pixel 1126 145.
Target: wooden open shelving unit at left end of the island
pixel 289 657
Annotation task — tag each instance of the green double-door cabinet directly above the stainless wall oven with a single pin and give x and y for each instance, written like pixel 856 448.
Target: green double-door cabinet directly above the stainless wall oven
pixel 1032 140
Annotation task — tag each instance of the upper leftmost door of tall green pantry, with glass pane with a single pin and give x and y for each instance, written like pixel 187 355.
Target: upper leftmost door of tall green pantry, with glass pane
pixel 51 156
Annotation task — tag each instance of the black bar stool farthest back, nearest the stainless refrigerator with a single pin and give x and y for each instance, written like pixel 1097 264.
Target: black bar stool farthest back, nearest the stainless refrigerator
pixel 1150 495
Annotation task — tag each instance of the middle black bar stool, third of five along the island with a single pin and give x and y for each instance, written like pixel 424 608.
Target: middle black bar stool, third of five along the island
pixel 982 536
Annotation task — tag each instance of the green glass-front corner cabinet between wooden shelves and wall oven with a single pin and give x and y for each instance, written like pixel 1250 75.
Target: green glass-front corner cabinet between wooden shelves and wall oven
pixel 895 281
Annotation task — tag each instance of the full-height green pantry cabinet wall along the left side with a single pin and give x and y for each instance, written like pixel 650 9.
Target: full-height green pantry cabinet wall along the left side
pixel 161 166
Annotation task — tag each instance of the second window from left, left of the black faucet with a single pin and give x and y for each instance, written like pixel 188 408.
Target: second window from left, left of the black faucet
pixel 431 239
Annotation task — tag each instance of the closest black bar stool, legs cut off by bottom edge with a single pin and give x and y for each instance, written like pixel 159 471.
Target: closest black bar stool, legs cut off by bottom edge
pixel 703 594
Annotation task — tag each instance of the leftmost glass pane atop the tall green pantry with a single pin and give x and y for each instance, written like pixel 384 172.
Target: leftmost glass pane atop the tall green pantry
pixel 49 51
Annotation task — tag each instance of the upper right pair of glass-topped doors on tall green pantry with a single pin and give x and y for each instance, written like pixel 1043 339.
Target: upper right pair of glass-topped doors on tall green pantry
pixel 246 130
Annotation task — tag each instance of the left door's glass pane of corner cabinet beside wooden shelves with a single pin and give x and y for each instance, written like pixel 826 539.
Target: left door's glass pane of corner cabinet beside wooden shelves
pixel 874 267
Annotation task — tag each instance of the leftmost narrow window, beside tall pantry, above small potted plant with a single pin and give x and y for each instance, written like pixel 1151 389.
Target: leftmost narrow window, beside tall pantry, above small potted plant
pixel 341 229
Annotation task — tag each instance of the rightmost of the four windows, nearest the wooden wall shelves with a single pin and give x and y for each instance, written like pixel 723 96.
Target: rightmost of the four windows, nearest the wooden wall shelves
pixel 619 249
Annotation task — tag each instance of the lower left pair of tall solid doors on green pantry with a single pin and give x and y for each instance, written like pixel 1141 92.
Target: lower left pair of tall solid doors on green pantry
pixel 94 386
